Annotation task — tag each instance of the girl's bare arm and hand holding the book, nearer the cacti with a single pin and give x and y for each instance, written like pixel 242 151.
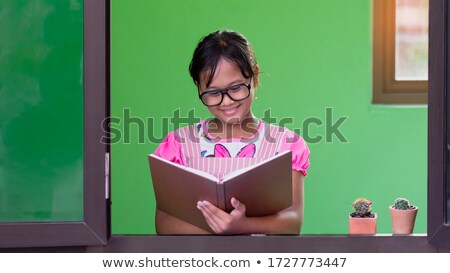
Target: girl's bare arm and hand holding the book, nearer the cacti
pixel 288 221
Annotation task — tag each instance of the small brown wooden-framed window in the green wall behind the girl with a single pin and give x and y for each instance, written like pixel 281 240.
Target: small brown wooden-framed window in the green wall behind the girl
pixel 400 51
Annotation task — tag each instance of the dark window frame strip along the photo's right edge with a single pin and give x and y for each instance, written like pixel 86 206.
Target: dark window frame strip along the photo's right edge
pixel 438 128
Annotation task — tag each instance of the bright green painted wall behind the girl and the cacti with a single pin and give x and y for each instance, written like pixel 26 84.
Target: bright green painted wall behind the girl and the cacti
pixel 313 55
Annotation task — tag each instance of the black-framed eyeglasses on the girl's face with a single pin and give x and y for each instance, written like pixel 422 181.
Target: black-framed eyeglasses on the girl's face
pixel 236 92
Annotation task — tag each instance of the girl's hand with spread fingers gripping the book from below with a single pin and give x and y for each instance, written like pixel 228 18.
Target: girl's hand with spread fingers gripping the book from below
pixel 220 221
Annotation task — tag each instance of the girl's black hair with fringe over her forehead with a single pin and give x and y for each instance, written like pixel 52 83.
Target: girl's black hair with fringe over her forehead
pixel 227 44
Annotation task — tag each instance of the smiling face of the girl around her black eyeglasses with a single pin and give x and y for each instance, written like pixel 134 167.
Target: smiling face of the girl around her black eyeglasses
pixel 229 111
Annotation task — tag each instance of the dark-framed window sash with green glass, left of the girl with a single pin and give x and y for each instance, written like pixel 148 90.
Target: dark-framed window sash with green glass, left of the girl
pixel 89 226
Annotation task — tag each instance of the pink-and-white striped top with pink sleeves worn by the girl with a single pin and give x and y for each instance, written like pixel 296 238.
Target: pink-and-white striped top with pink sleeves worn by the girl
pixel 193 146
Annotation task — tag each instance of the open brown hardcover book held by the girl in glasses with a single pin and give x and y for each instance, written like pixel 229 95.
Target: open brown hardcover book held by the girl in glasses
pixel 265 188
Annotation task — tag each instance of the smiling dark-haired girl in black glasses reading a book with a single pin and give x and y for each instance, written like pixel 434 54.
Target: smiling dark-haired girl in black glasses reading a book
pixel 225 71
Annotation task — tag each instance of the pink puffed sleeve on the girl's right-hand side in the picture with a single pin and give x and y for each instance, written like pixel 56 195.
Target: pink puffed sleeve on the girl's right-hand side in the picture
pixel 300 152
